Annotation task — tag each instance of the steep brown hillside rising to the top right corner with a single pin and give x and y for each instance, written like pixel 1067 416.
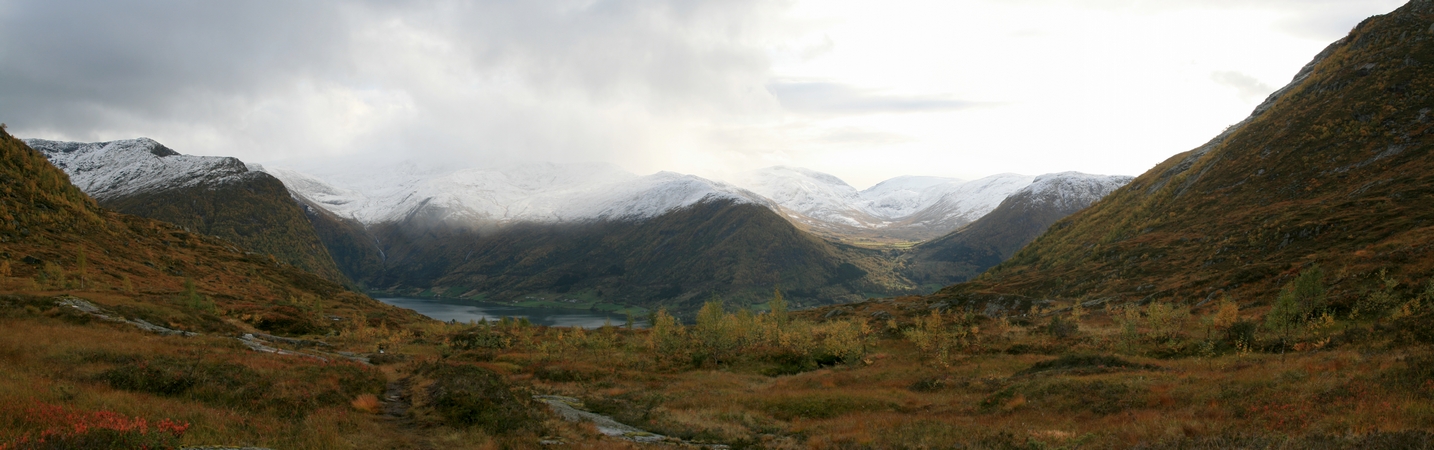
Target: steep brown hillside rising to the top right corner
pixel 1333 170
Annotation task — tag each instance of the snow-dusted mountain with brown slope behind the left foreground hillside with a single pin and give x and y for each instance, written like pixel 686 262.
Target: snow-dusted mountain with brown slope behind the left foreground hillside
pixel 210 196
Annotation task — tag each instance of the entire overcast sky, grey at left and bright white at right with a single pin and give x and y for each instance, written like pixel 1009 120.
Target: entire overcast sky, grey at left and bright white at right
pixel 860 90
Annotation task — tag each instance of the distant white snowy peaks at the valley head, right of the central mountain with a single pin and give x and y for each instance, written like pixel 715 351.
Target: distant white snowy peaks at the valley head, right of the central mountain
pixel 906 209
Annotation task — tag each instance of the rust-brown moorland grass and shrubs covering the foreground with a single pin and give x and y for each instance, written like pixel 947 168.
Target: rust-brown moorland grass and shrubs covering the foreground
pixel 1287 372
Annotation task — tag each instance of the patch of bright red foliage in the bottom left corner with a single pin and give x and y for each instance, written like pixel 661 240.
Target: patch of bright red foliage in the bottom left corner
pixel 70 429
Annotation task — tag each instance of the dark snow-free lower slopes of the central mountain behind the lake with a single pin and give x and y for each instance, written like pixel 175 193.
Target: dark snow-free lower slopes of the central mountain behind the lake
pixel 678 260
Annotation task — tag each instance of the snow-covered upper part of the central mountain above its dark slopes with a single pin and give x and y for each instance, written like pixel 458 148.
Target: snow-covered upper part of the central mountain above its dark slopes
pixel 536 193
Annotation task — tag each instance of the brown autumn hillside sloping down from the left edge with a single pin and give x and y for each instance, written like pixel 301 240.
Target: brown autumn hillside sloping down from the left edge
pixel 54 239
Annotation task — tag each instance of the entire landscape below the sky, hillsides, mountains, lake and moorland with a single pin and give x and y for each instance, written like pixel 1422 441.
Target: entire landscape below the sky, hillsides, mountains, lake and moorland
pixel 1273 289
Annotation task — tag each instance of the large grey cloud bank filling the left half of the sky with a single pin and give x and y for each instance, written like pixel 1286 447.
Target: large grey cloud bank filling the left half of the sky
pixel 473 81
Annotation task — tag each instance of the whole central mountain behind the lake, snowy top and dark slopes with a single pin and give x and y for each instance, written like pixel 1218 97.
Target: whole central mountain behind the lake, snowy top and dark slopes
pixel 580 231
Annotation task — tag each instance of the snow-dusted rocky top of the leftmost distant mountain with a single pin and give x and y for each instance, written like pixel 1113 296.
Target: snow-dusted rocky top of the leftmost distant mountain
pixel 121 168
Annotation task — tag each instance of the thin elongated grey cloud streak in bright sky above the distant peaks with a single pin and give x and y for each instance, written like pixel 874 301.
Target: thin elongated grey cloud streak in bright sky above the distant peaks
pixel 822 98
